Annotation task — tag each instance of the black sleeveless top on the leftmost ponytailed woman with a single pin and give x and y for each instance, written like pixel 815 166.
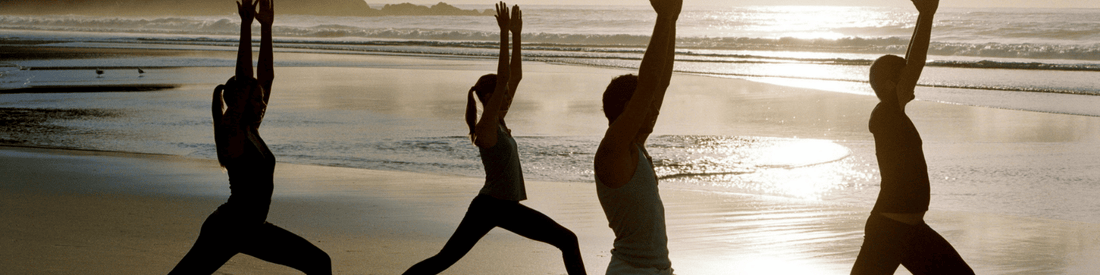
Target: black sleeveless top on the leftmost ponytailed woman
pixel 251 181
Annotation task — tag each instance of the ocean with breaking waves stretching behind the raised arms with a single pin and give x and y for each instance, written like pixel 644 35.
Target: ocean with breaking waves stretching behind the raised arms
pixel 973 49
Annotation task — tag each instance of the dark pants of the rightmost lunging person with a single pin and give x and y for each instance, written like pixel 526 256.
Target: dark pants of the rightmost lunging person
pixel 888 244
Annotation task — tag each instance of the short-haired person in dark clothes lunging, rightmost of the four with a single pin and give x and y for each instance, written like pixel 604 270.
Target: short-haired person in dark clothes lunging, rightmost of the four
pixel 896 233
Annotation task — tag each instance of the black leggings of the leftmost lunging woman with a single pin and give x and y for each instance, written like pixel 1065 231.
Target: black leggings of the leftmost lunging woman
pixel 224 235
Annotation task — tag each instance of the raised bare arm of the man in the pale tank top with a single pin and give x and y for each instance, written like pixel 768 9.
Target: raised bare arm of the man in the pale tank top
pixel 615 158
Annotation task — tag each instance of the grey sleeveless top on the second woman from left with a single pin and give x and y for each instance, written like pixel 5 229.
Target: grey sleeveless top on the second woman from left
pixel 504 179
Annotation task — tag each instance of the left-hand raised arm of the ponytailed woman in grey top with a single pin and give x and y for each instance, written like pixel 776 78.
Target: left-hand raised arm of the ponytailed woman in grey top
pixel 486 130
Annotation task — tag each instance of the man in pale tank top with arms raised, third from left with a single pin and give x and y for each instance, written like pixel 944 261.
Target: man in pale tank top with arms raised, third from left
pixel 625 179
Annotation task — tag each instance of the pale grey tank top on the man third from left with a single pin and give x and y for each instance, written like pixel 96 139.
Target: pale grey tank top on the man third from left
pixel 636 214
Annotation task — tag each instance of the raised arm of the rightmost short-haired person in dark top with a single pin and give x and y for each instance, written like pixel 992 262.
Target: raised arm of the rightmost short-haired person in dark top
pixel 918 52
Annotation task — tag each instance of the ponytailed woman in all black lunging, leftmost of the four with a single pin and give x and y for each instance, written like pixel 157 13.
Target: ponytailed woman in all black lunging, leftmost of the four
pixel 239 226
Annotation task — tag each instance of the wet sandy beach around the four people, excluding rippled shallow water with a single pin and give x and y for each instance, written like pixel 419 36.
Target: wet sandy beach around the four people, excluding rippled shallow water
pixel 73 212
